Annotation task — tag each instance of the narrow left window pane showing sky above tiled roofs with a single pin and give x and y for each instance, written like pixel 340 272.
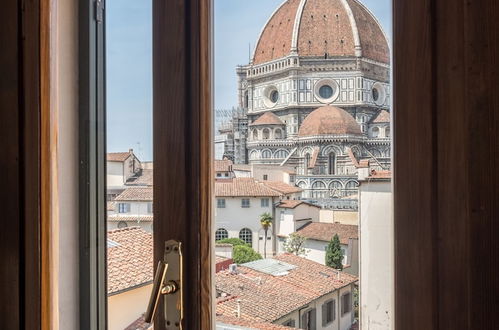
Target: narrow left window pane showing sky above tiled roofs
pixel 130 211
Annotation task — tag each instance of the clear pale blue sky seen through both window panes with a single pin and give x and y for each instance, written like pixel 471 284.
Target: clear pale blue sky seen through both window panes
pixel 129 61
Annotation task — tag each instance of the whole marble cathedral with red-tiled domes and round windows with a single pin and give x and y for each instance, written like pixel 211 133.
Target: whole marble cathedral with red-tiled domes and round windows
pixel 315 96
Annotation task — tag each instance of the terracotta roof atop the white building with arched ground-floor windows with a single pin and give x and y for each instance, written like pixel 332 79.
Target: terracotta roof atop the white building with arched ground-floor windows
pixel 243 187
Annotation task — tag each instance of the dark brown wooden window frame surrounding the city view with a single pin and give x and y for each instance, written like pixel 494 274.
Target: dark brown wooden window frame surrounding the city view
pixel 445 158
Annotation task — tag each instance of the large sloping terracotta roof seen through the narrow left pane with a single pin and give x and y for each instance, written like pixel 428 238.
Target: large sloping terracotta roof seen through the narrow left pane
pixel 129 259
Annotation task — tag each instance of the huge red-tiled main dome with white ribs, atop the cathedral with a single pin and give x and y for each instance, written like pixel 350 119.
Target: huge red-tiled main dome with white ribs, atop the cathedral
pixel 322 28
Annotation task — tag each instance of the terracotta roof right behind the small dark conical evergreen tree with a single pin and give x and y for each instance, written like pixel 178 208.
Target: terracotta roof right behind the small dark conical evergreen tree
pixel 322 231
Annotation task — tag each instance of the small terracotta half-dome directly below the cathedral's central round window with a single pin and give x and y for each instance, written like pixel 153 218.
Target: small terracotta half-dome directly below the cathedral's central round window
pixel 329 120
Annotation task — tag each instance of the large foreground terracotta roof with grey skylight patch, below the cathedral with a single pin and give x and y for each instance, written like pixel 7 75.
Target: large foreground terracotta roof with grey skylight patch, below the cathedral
pixel 266 298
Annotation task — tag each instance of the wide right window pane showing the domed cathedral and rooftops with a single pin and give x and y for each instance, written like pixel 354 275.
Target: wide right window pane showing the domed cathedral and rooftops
pixel 302 115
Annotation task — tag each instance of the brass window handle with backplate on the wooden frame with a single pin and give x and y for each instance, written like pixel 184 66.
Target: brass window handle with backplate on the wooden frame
pixel 167 284
